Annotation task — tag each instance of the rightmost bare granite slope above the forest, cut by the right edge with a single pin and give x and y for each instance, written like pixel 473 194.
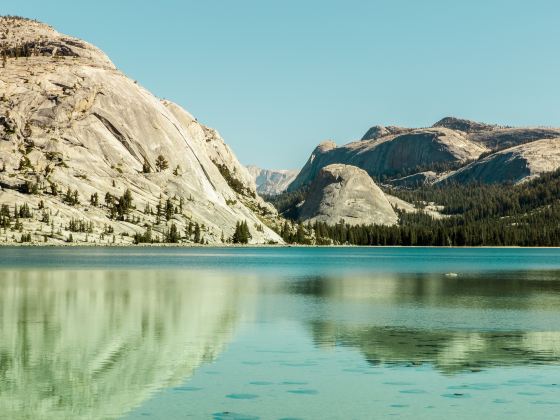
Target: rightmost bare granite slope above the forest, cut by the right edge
pixel 513 165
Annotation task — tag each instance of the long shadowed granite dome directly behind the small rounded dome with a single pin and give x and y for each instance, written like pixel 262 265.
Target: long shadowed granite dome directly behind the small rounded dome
pixel 394 155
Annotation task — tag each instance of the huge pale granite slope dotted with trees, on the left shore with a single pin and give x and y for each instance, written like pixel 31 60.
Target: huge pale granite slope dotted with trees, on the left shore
pixel 70 120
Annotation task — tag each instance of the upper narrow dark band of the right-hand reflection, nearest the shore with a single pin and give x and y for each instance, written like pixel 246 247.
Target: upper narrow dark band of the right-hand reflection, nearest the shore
pixel 508 290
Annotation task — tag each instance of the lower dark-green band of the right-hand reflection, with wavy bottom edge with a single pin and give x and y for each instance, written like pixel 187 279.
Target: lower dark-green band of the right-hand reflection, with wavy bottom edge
pixel 448 351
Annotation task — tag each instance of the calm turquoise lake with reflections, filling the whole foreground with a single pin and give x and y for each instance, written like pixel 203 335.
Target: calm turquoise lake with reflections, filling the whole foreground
pixel 279 333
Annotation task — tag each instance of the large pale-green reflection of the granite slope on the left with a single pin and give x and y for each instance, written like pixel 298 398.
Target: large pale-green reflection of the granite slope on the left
pixel 95 344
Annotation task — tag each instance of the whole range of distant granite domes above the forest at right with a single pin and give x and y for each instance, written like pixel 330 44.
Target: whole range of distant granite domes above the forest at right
pixel 411 157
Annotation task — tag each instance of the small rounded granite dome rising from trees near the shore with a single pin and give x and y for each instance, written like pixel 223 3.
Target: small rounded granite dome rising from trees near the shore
pixel 344 192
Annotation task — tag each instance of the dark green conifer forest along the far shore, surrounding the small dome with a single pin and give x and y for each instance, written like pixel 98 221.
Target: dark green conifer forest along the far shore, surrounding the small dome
pixel 474 215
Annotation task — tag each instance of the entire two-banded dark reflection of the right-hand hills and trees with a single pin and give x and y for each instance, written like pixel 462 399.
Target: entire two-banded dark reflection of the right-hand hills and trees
pixel 415 341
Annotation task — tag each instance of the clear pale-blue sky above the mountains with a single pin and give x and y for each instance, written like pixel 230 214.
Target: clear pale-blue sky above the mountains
pixel 277 77
